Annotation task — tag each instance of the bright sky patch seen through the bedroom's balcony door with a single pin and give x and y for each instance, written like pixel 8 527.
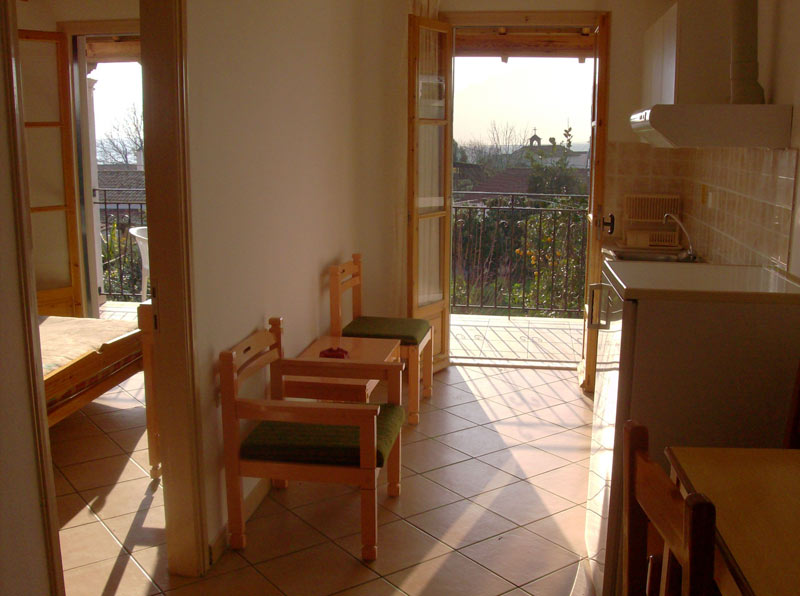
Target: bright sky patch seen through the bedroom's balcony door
pixel 118 86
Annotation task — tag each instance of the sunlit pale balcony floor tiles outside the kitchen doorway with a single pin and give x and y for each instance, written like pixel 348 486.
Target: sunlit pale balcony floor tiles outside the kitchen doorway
pixel 538 340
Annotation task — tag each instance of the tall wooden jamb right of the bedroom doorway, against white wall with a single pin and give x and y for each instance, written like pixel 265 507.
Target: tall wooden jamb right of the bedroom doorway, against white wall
pixel 165 112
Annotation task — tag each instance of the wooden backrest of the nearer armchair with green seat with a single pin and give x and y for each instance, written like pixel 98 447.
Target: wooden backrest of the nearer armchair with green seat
pixel 259 349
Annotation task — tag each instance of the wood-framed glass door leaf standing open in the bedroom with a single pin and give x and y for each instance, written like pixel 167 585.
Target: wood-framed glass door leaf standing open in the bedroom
pixel 48 137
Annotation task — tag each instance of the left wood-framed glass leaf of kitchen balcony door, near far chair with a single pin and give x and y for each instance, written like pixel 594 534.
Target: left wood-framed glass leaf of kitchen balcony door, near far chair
pixel 430 132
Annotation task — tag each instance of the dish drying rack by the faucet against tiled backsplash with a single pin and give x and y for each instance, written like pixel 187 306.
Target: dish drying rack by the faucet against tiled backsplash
pixel 643 222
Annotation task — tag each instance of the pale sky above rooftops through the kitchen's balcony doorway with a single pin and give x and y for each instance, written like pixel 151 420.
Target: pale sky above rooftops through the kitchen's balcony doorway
pixel 548 94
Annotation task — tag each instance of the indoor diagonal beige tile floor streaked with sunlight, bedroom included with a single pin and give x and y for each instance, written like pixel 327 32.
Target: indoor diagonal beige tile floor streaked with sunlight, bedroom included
pixel 492 503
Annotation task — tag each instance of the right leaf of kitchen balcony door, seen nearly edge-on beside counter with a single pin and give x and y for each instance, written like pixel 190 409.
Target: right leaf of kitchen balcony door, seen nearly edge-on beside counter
pixel 588 364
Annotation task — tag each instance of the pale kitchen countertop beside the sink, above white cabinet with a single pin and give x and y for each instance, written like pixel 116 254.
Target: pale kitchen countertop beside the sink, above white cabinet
pixel 636 280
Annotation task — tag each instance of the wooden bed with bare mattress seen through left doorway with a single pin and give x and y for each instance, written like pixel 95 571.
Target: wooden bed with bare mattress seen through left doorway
pixel 82 358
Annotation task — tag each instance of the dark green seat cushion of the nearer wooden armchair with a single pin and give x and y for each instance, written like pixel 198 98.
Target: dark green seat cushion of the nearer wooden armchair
pixel 321 443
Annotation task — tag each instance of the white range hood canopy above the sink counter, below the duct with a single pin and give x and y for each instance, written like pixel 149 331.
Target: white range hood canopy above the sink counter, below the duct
pixel 715 125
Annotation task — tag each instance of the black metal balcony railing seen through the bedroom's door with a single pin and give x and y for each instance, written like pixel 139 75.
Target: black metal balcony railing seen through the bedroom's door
pixel 116 211
